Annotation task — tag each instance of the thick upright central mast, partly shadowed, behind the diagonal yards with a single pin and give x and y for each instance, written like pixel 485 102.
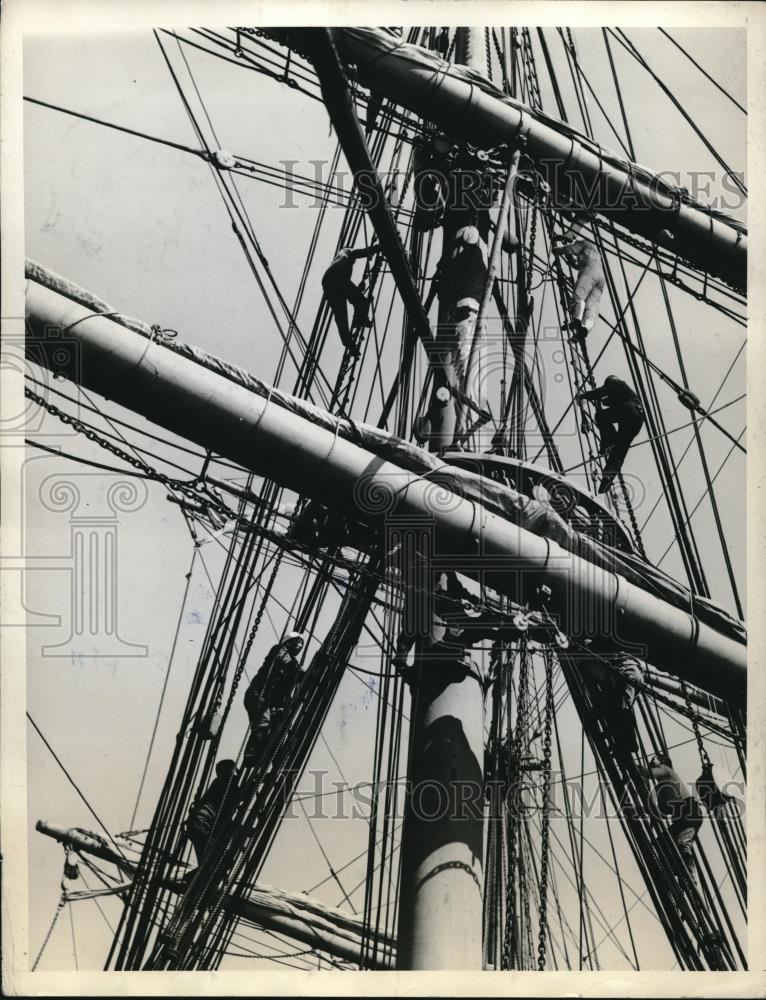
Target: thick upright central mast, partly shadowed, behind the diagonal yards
pixel 440 903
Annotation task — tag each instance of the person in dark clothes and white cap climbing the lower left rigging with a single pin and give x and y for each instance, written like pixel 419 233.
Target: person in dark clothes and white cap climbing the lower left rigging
pixel 270 692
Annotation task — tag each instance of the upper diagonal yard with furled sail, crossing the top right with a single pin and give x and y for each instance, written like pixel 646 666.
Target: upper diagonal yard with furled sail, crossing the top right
pixel 582 174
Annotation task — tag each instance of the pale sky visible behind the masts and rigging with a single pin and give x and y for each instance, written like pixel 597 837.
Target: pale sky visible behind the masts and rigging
pixel 143 227
